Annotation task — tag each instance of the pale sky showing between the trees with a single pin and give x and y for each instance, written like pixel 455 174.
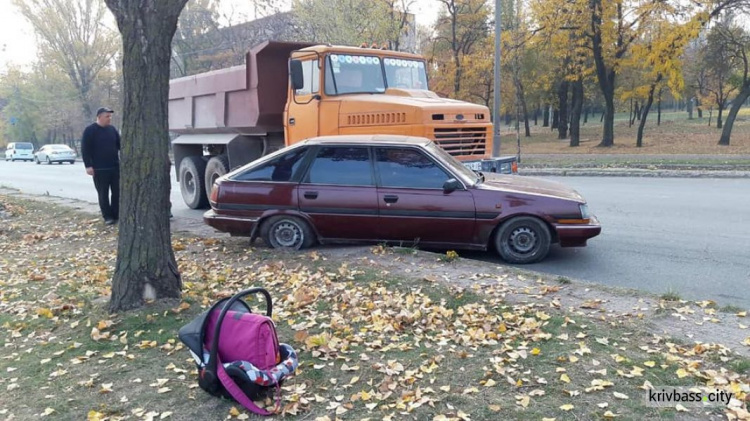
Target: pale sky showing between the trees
pixel 18 44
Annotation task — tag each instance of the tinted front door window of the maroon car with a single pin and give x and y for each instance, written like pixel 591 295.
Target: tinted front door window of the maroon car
pixel 407 167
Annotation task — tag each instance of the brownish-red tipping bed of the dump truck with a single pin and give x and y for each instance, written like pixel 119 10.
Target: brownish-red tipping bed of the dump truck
pixel 246 99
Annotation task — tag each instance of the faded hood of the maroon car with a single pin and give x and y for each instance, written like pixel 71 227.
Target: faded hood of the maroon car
pixel 529 185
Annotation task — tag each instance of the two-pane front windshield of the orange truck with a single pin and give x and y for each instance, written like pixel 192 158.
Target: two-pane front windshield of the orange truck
pixel 348 74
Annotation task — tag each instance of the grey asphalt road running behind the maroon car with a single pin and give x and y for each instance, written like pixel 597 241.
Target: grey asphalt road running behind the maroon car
pixel 689 236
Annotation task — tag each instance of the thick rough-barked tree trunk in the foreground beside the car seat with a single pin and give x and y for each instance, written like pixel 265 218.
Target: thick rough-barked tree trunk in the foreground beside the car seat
pixel 146 268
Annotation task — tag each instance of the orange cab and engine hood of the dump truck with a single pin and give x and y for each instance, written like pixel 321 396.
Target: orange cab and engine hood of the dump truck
pixel 347 90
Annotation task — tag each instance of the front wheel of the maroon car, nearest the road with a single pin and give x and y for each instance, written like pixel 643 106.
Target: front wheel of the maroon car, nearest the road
pixel 522 240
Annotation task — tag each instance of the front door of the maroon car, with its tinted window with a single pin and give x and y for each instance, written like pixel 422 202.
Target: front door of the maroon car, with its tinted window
pixel 412 203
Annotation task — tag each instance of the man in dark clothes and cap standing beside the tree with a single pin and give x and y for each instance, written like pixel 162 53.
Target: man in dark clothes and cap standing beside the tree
pixel 100 149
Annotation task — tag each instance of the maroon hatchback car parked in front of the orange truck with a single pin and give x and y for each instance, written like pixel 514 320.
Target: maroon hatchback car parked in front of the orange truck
pixel 395 189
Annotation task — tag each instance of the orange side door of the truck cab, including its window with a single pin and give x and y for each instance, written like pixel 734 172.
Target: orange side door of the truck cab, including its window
pixel 302 114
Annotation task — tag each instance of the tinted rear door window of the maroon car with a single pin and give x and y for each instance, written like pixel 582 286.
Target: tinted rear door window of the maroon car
pixel 341 165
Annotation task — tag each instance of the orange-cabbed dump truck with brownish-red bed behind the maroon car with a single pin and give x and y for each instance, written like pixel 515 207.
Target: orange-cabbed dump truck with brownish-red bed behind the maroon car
pixel 287 92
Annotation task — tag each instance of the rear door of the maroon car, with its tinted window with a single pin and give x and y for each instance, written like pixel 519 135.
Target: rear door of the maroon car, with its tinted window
pixel 338 193
